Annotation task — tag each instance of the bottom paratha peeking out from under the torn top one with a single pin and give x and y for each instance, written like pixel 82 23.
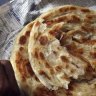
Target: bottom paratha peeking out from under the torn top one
pixel 29 83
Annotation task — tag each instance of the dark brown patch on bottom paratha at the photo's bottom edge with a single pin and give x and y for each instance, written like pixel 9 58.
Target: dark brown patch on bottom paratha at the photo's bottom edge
pixel 43 91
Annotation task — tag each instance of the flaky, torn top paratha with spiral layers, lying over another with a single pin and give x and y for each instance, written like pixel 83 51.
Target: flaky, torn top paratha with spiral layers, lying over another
pixel 62 46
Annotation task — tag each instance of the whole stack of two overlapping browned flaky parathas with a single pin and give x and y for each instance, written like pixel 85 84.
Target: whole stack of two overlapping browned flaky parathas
pixel 55 55
